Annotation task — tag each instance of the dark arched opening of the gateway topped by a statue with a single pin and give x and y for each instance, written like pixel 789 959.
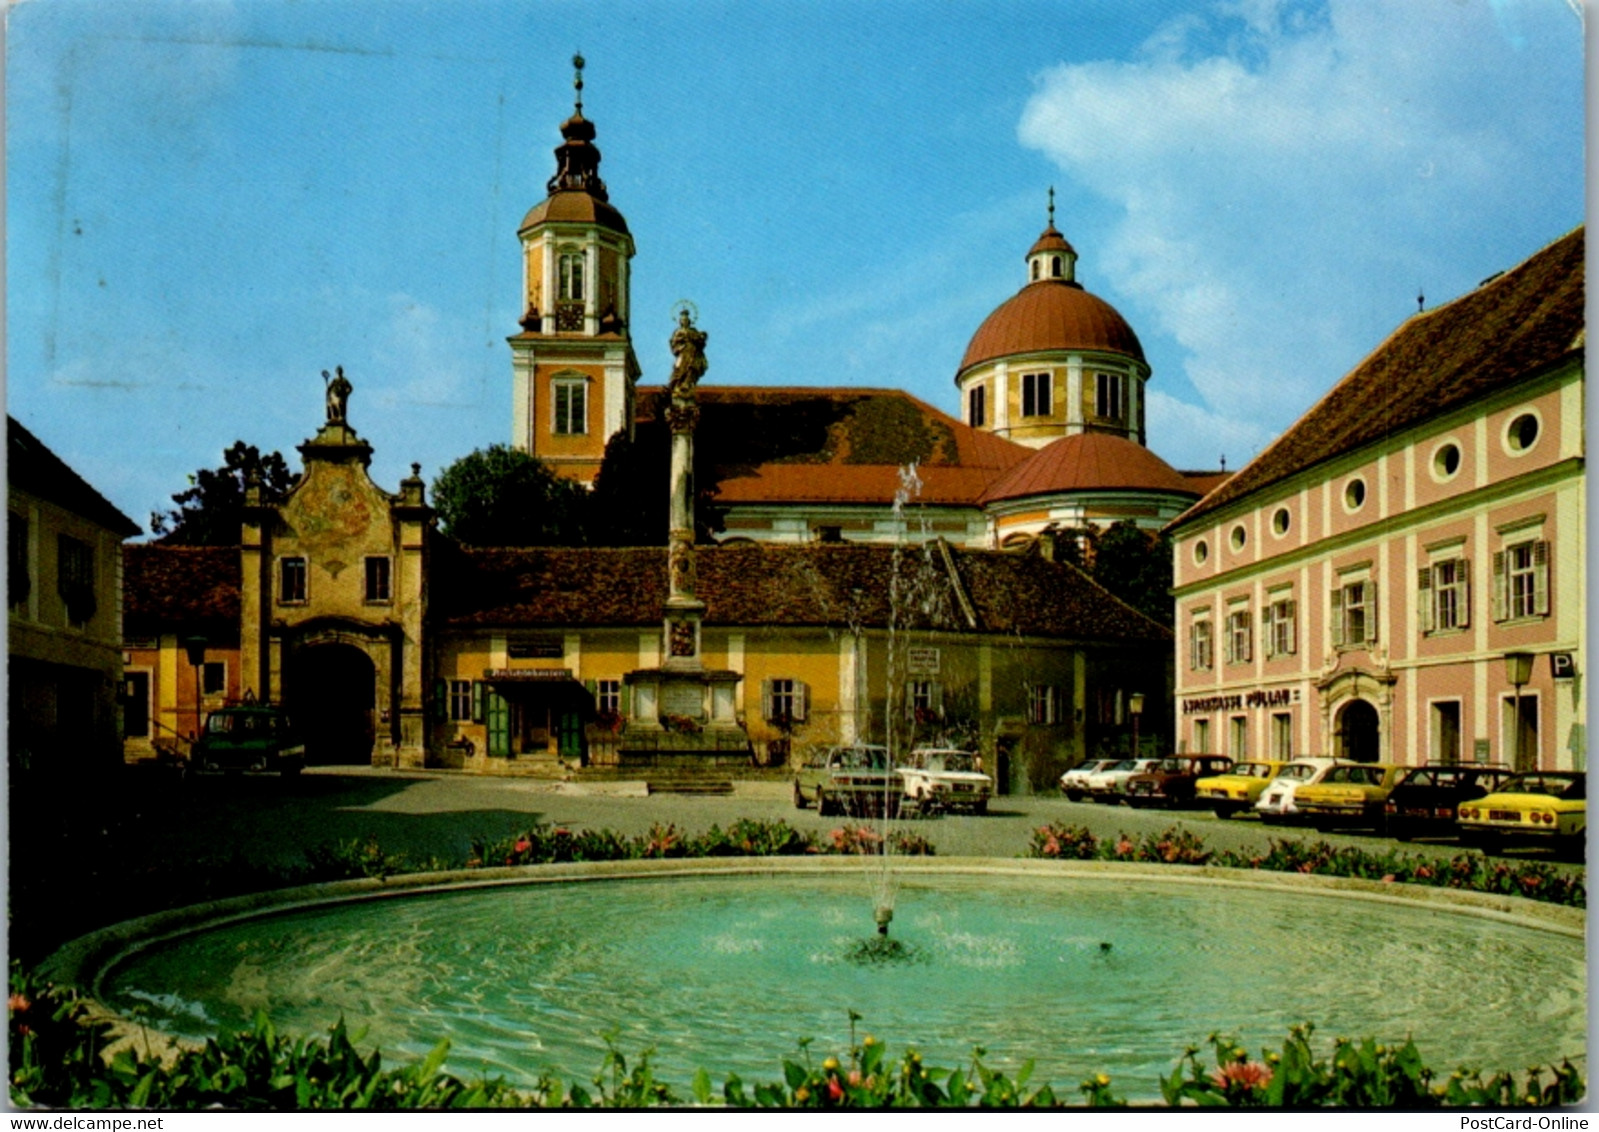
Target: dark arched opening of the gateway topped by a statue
pixel 332 695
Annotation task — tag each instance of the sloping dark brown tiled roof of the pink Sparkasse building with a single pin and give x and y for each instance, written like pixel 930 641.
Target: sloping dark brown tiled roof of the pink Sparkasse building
pixel 1513 327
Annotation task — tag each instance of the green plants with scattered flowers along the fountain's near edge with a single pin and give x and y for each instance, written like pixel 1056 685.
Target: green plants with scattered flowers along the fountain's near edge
pixel 58 1061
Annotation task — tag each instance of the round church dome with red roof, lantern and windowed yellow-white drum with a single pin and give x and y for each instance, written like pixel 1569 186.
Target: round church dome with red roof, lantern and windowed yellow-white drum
pixel 1055 361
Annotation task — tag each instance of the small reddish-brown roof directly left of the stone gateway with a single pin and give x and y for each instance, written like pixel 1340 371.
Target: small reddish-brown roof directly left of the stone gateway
pixel 173 589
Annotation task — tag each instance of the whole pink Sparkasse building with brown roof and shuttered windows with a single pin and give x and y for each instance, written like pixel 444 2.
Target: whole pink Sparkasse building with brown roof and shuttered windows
pixel 1358 588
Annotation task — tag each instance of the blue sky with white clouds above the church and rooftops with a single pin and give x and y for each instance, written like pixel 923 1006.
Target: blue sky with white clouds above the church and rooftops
pixel 210 202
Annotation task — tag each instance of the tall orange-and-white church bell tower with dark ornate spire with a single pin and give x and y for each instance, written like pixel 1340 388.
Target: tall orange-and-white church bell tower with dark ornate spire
pixel 573 364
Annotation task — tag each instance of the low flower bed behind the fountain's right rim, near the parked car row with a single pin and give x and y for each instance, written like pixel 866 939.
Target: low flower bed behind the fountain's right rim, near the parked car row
pixel 1475 874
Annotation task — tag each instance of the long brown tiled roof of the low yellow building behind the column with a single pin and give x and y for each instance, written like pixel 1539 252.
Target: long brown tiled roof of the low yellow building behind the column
pixel 786 586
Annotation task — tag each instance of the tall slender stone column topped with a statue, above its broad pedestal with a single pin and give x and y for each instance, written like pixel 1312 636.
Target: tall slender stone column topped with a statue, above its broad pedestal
pixel 684 610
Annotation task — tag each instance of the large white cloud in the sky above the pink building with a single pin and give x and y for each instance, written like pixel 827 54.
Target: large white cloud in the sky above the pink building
pixel 1290 173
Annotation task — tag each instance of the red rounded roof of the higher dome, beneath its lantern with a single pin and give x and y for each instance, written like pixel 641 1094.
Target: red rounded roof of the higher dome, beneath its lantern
pixel 1051 316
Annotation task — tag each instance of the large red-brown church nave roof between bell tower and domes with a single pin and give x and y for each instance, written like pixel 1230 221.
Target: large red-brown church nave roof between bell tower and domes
pixel 835 445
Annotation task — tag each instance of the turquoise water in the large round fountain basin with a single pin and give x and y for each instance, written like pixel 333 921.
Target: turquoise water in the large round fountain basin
pixel 732 973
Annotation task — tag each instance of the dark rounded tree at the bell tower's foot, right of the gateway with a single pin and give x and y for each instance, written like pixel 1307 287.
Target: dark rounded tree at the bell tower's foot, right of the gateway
pixel 508 498
